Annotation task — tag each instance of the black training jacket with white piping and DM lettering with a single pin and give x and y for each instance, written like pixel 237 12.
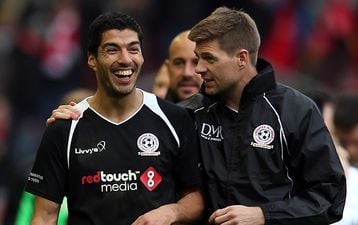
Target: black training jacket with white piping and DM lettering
pixel 275 152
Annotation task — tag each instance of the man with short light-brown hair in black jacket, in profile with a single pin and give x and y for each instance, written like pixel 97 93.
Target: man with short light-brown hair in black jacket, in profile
pixel 268 157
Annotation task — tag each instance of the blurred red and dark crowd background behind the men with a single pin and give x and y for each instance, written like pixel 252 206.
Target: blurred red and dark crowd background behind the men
pixel 311 44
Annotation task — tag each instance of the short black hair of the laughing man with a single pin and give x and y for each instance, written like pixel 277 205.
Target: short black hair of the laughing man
pixel 108 21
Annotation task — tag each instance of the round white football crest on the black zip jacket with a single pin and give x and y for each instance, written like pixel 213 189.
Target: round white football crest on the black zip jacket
pixel 263 136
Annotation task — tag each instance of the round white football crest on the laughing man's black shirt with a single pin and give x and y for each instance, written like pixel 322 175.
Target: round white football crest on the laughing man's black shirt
pixel 148 145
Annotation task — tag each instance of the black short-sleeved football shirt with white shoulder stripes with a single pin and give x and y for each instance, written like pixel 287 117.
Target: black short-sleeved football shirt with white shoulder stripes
pixel 112 172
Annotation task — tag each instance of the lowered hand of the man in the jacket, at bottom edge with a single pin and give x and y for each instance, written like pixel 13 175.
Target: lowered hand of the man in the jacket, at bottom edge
pixel 238 214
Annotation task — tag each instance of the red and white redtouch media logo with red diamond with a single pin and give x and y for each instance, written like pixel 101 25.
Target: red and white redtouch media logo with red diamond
pixel 124 181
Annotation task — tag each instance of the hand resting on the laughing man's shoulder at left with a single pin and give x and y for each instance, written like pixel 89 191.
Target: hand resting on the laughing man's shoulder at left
pixel 65 112
